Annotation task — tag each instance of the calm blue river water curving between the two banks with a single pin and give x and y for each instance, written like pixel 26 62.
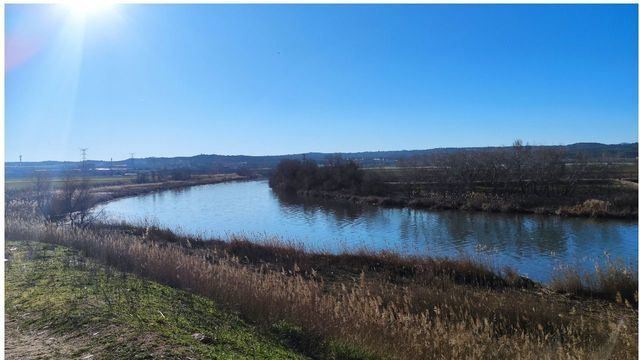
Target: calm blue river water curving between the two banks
pixel 535 246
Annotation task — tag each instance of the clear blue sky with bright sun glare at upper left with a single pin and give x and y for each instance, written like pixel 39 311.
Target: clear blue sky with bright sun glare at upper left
pixel 174 80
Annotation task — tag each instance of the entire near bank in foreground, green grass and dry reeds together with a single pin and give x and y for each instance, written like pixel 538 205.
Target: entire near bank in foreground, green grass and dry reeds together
pixel 298 303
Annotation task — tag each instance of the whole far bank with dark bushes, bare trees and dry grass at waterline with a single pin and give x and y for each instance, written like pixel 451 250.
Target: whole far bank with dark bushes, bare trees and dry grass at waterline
pixel 519 178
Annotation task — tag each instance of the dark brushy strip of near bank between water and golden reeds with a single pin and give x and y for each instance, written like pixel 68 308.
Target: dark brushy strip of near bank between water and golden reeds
pixel 613 281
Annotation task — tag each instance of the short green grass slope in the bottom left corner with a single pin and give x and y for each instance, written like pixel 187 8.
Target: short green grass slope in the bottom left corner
pixel 60 304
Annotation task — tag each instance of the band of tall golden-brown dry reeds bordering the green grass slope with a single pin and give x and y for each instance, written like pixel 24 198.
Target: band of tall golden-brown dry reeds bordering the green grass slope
pixel 440 321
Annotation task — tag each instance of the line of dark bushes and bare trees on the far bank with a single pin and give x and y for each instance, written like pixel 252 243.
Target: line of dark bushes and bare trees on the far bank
pixel 523 169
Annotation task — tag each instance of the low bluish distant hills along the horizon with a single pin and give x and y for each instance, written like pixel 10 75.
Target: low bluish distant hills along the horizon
pixel 230 163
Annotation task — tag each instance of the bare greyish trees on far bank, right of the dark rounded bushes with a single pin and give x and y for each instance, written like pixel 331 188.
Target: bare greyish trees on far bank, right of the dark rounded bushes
pixel 519 168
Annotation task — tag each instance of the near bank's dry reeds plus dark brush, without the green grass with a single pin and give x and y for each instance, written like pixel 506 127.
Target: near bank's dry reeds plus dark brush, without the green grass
pixel 385 306
